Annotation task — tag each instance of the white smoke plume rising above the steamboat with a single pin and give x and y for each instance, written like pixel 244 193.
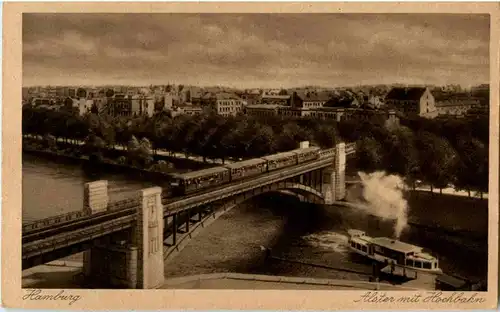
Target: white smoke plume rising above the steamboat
pixel 384 195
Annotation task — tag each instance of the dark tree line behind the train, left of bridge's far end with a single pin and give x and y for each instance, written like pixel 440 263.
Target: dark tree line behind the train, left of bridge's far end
pixel 210 136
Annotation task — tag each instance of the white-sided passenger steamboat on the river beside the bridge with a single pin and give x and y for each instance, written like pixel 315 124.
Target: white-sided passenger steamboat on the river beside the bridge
pixel 393 252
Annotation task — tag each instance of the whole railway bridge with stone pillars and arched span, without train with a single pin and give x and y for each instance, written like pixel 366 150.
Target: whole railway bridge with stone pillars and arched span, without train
pixel 127 243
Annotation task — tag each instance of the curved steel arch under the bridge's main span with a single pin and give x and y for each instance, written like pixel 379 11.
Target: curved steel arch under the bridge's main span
pixel 304 192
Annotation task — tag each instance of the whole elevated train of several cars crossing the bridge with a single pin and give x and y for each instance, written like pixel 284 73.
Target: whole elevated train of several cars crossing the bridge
pixel 195 181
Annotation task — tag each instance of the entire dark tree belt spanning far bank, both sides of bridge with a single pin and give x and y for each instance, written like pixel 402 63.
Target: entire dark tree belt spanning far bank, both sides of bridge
pixel 437 152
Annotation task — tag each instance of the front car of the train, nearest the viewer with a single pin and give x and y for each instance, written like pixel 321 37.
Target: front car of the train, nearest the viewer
pixel 194 181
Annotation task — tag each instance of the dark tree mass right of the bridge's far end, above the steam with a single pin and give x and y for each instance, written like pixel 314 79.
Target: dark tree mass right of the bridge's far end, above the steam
pixel 442 153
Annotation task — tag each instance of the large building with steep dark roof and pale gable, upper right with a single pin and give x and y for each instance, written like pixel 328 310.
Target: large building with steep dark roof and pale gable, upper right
pixel 412 100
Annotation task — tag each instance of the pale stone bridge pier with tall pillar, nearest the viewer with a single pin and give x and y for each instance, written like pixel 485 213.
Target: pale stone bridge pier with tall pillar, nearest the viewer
pixel 138 261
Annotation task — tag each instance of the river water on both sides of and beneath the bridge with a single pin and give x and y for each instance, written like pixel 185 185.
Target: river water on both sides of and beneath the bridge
pixel 294 230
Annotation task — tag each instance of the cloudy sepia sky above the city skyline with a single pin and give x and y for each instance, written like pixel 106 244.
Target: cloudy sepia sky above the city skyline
pixel 255 50
